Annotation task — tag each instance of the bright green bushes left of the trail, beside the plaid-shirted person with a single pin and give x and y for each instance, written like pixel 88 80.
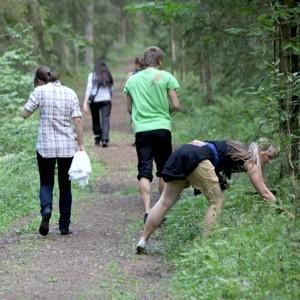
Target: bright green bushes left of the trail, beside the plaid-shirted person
pixel 17 138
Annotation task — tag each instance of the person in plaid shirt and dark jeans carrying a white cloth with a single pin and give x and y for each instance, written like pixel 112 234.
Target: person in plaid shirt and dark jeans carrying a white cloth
pixel 59 106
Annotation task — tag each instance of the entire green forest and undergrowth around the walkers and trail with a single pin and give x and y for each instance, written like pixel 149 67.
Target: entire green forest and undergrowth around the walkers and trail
pixel 238 65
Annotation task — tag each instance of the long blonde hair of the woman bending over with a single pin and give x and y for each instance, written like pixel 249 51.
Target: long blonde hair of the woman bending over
pixel 241 151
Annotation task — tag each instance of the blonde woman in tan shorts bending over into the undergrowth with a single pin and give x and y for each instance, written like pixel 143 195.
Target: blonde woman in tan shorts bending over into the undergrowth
pixel 205 166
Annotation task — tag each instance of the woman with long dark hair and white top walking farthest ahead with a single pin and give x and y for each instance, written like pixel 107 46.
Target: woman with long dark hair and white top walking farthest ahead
pixel 98 96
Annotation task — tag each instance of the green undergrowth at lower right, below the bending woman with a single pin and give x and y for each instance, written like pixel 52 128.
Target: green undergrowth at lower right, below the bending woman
pixel 252 254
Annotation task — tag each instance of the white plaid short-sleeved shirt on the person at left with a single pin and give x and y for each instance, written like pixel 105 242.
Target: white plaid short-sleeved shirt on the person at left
pixel 58 104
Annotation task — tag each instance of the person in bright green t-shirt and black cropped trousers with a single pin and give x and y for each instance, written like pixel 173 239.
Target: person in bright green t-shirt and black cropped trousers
pixel 151 95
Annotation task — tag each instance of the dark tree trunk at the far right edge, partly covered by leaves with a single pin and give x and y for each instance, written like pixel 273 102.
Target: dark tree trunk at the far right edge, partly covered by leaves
pixel 290 104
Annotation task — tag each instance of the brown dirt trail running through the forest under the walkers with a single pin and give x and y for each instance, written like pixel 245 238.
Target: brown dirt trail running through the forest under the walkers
pixel 98 260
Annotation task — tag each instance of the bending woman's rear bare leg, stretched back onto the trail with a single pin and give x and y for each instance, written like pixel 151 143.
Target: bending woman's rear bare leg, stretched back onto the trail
pixel 158 211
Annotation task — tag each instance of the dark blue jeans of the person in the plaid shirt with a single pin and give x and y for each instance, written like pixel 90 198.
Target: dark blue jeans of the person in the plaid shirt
pixel 46 169
